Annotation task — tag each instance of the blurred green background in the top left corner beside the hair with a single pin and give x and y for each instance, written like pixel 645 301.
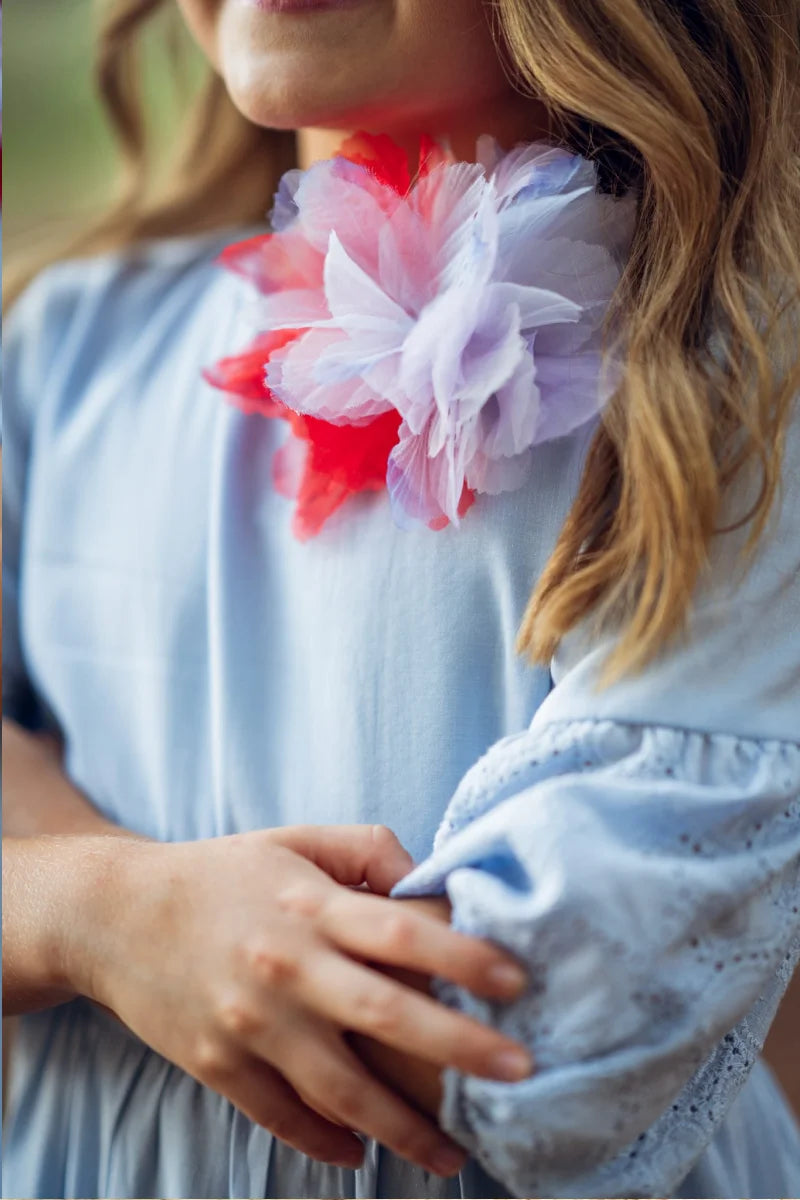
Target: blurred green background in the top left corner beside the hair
pixel 59 157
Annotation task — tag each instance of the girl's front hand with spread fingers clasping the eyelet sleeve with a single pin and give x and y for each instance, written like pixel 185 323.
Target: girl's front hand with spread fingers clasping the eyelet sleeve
pixel 239 959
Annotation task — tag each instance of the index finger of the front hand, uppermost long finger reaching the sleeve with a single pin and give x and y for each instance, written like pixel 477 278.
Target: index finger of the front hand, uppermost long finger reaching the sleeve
pixel 386 932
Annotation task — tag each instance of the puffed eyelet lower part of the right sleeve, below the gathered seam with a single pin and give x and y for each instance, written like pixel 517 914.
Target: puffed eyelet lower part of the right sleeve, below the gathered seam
pixel 657 968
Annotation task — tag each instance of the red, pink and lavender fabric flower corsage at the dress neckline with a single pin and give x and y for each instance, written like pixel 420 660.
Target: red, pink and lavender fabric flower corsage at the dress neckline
pixel 425 334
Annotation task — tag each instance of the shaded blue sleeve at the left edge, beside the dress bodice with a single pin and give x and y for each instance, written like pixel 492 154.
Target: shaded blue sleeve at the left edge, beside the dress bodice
pixel 34 331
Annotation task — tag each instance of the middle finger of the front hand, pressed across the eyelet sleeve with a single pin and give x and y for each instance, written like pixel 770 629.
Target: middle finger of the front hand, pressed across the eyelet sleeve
pixel 365 1001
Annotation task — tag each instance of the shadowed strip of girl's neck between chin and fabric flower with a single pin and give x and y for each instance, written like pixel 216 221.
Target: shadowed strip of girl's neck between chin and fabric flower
pixel 510 123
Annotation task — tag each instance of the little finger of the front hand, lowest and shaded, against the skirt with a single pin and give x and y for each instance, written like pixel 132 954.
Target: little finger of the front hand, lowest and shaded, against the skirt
pixel 267 1099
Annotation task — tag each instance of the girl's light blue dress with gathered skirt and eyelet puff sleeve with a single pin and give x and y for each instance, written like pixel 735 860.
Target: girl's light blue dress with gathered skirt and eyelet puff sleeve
pixel 639 848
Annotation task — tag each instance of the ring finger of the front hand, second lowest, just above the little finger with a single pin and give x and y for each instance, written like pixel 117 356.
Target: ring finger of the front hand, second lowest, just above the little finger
pixel 336 1083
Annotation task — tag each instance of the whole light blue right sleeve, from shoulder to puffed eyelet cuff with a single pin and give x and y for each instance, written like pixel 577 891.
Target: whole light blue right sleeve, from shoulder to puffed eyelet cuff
pixel 639 849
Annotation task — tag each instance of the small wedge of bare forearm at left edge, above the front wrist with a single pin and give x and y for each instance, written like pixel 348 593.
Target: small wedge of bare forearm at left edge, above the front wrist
pixel 38 799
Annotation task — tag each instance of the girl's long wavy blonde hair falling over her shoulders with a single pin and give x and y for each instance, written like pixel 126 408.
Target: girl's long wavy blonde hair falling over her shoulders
pixel 696 106
